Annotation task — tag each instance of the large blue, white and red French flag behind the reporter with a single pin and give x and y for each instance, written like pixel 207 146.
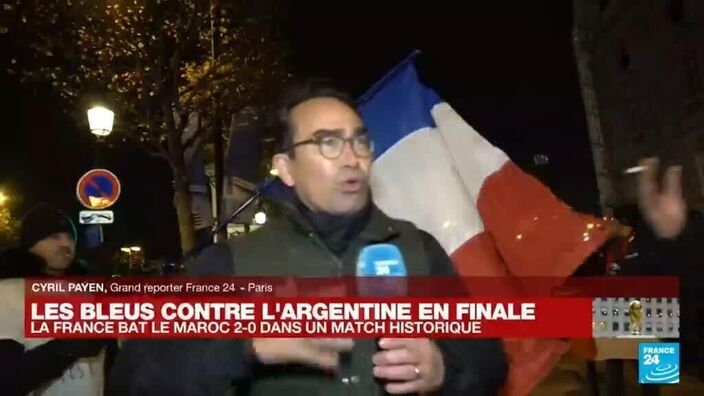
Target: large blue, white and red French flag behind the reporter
pixel 432 168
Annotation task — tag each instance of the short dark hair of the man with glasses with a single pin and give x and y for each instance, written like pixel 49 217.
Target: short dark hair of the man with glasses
pixel 297 93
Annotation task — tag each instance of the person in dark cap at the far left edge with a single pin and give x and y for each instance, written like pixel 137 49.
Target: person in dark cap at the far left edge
pixel 43 366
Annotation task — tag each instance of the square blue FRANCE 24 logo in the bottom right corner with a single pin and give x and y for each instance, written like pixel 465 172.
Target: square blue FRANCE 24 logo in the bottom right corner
pixel 659 363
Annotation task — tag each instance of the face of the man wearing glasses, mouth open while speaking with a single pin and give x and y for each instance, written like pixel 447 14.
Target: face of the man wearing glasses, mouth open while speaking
pixel 337 184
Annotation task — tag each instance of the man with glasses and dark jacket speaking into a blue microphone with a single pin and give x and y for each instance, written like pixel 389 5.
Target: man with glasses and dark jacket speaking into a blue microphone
pixel 325 162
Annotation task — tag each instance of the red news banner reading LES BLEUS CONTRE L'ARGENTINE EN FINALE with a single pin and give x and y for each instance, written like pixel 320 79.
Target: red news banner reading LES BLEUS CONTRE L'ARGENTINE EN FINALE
pixel 241 308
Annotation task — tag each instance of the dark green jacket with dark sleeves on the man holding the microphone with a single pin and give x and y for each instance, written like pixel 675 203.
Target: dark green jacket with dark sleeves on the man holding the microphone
pixel 287 246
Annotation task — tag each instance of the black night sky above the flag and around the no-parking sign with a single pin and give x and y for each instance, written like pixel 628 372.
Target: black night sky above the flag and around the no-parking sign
pixel 507 68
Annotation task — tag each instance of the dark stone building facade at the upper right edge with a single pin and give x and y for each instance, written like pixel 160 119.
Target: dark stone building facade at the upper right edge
pixel 643 61
